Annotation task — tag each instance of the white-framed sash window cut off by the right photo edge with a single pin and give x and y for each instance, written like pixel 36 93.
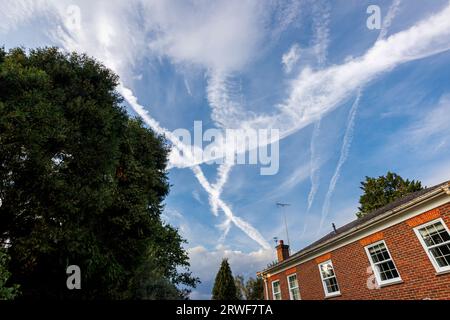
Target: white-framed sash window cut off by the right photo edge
pixel 435 239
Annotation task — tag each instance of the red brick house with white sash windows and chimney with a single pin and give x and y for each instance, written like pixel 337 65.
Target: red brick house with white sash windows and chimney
pixel 401 251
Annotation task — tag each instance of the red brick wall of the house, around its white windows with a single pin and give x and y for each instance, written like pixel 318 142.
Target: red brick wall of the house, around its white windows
pixel 351 263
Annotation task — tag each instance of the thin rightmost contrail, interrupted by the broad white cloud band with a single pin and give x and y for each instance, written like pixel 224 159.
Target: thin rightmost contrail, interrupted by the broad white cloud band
pixel 348 137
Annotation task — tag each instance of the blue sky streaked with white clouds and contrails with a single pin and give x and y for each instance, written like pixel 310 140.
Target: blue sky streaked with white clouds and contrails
pixel 349 102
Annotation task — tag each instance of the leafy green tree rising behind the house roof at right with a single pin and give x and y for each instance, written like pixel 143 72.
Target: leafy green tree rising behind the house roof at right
pixel 378 192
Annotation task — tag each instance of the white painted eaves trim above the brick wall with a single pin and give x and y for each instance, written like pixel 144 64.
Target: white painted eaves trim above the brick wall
pixel 364 231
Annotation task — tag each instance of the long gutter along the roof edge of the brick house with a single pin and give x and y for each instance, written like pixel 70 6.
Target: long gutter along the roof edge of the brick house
pixel 379 218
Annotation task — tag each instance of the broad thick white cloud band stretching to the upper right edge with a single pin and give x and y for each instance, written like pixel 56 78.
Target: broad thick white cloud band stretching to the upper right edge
pixel 315 93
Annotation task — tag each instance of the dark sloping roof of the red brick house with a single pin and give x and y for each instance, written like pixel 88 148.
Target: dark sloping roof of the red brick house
pixel 361 221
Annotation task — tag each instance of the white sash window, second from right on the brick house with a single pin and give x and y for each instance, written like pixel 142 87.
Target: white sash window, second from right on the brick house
pixel 382 264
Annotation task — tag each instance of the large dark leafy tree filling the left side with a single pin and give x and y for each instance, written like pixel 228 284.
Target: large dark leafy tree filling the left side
pixel 81 183
